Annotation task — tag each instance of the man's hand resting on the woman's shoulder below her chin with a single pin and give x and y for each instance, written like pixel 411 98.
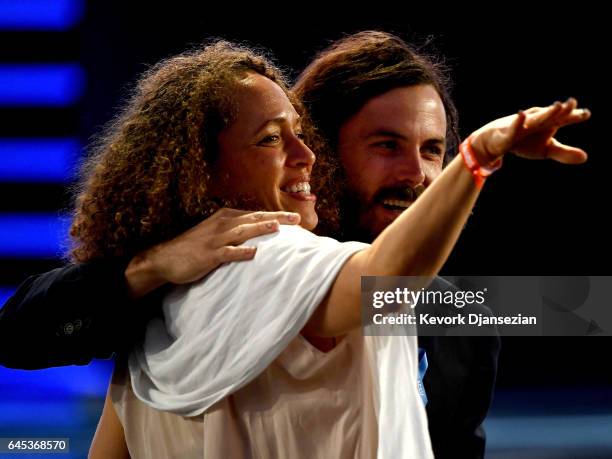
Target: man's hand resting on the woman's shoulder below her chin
pixel 195 253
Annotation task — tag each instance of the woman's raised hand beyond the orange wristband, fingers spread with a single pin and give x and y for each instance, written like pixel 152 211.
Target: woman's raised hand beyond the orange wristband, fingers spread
pixel 530 134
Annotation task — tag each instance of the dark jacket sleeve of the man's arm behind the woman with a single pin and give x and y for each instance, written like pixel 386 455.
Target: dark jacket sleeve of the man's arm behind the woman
pixel 70 316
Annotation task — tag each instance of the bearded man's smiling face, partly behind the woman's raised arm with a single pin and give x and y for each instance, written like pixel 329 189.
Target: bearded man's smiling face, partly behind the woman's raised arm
pixel 392 148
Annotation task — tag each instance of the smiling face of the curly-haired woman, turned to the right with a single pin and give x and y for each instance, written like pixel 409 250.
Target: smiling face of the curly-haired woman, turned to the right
pixel 262 156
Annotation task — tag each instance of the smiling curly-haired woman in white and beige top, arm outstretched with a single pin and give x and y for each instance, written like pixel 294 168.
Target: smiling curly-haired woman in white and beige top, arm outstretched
pixel 229 367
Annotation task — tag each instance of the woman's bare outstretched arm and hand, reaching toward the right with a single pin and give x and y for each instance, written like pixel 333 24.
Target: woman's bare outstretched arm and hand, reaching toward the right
pixel 420 240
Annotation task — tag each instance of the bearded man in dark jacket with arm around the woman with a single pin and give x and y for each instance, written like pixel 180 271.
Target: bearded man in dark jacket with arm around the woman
pixel 383 113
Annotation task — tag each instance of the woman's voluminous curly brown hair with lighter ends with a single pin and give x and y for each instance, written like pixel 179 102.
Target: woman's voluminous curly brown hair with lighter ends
pixel 147 178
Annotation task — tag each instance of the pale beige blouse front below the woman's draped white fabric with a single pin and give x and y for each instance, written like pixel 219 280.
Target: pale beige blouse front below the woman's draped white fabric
pixel 307 404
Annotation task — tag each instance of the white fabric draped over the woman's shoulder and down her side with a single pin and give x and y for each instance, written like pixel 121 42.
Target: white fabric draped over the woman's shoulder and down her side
pixel 219 334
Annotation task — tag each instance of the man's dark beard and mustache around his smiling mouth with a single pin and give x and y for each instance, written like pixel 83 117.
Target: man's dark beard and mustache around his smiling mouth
pixel 353 206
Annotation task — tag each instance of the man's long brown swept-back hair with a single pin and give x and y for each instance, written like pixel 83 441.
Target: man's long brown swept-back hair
pixel 353 70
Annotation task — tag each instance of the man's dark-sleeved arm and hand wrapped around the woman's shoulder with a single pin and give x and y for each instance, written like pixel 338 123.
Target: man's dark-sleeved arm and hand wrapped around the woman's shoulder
pixel 74 314
